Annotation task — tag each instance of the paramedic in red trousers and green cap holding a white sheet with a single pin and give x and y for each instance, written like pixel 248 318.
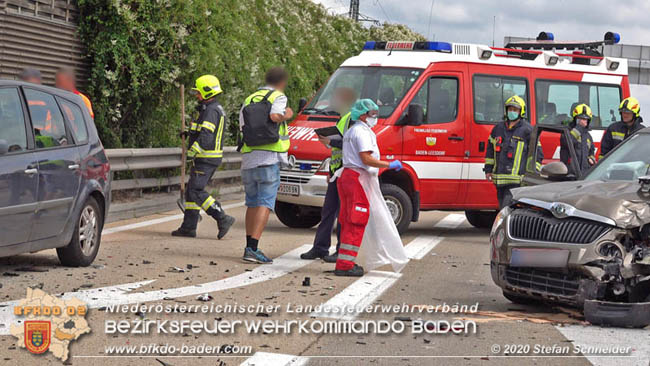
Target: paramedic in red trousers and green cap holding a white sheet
pixel 364 216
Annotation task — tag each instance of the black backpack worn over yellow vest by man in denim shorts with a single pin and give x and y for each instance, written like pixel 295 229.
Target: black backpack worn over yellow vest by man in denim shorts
pixel 259 129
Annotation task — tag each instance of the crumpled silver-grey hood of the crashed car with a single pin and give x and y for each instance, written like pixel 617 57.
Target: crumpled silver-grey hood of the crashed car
pixel 616 203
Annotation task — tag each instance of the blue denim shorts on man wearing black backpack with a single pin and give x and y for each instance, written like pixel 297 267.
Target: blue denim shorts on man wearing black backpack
pixel 261 185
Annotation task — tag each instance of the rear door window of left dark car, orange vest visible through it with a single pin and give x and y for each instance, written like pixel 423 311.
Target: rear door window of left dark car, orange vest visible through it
pixel 47 121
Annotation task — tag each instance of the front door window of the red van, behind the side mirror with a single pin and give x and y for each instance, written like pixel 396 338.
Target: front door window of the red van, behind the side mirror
pixel 439 98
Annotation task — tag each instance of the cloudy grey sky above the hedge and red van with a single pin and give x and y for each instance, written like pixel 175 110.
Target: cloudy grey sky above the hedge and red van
pixel 471 21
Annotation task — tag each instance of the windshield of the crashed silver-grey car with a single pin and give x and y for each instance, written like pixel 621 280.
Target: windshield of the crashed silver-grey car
pixel 627 163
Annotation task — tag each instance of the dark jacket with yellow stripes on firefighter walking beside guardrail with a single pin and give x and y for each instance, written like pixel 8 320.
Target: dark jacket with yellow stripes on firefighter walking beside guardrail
pixel 206 134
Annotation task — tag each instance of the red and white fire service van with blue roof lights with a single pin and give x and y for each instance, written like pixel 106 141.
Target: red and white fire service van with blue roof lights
pixel 438 103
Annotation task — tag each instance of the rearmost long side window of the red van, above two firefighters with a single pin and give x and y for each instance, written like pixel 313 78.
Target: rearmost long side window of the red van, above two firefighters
pixel 555 101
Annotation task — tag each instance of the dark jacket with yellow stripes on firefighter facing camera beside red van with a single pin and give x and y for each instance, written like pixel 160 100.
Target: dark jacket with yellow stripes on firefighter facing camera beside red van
pixel 507 152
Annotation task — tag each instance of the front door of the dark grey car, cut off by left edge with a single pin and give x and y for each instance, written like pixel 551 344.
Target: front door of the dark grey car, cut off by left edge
pixel 18 178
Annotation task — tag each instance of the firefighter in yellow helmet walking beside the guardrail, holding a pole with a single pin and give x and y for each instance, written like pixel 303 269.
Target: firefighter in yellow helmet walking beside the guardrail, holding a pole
pixel 206 151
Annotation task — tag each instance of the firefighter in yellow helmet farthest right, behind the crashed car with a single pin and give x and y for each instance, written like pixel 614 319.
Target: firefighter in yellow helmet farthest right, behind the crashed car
pixel 630 122
